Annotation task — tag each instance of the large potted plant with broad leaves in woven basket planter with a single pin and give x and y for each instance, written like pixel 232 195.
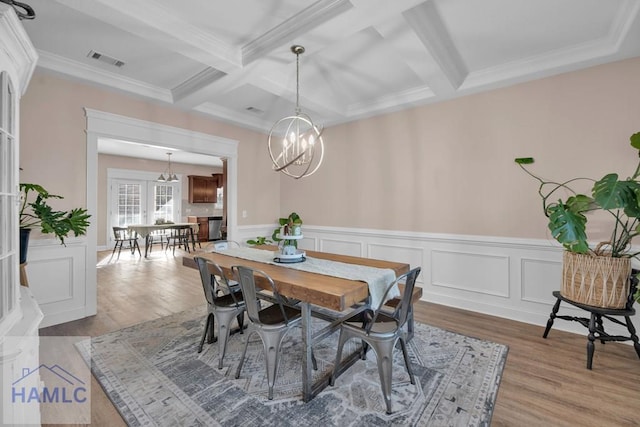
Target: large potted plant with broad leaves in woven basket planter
pixel 620 198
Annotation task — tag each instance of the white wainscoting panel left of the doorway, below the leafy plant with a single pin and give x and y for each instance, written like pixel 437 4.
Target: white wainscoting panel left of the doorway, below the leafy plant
pixel 57 276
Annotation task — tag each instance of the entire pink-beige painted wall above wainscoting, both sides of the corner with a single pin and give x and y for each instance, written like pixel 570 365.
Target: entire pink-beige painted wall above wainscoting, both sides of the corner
pixel 442 168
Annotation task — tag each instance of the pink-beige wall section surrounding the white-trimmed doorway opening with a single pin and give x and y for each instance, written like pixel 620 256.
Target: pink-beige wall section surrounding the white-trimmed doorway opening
pixel 53 142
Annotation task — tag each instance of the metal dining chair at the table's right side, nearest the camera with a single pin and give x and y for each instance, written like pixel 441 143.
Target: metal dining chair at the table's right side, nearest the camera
pixel 381 331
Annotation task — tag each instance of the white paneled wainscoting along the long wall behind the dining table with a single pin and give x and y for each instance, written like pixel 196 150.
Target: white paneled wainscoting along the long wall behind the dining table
pixel 504 277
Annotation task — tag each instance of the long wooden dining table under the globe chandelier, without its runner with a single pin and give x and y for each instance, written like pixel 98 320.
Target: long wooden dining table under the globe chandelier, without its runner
pixel 313 290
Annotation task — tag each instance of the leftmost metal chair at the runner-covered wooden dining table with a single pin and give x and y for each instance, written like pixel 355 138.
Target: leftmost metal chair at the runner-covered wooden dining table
pixel 222 308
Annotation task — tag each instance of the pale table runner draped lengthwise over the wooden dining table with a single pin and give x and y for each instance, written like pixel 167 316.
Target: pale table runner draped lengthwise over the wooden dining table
pixel 376 278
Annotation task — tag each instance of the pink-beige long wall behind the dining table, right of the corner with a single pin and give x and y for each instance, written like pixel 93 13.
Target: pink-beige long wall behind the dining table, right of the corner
pixel 448 167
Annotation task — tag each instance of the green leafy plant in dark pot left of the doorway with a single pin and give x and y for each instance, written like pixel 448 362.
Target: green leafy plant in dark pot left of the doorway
pixel 35 212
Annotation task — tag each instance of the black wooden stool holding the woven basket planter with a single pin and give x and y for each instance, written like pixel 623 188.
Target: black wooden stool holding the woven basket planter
pixel 595 323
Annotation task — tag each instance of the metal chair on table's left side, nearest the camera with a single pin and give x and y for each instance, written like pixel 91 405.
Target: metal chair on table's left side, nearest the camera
pixel 271 323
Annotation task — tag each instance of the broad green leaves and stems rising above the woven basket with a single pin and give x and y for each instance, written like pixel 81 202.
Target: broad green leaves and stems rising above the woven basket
pixel 620 198
